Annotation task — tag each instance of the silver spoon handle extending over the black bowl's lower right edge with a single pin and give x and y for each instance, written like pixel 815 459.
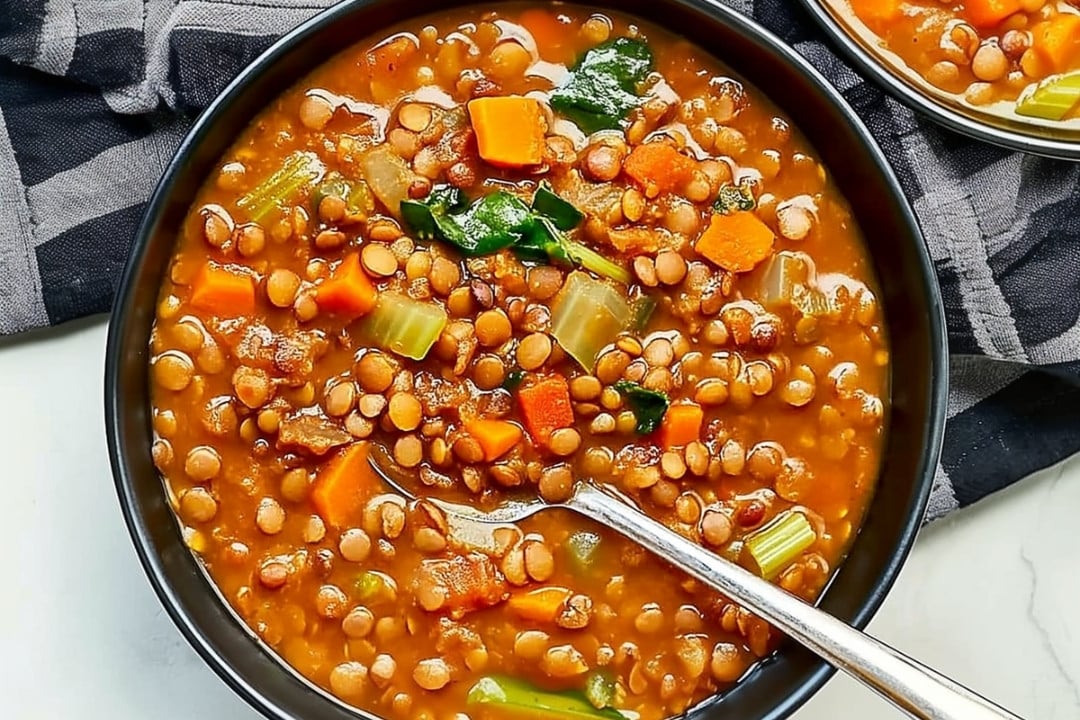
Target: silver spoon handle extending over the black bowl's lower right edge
pixel 911 686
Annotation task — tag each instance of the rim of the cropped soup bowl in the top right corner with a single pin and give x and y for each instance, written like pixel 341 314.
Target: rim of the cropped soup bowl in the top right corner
pixel 937 111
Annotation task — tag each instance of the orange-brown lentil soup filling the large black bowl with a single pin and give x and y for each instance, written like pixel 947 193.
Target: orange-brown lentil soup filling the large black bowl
pixel 498 252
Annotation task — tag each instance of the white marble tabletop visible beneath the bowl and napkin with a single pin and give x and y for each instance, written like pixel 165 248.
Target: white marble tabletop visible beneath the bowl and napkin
pixel 989 597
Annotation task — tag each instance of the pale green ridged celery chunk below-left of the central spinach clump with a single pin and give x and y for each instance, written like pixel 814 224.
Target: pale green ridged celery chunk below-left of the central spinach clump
pixel 404 327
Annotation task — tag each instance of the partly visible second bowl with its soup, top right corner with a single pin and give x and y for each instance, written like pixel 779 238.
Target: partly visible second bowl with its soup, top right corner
pixel 1007 73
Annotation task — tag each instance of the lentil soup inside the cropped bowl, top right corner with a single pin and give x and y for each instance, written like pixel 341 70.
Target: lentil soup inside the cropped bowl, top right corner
pixel 1014 59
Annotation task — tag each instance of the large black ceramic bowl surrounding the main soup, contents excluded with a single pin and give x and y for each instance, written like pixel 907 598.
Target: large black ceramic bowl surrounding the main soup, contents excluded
pixel 910 295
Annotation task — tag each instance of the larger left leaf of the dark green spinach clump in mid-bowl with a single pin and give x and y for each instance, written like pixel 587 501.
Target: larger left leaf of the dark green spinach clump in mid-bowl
pixel 491 224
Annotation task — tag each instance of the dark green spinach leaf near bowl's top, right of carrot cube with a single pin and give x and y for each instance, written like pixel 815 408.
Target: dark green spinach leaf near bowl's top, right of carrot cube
pixel 602 88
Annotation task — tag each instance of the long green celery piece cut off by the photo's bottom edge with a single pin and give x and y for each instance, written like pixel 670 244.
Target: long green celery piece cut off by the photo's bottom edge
pixel 498 698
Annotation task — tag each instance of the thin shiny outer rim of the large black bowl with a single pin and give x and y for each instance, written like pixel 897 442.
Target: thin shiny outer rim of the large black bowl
pixel 125 309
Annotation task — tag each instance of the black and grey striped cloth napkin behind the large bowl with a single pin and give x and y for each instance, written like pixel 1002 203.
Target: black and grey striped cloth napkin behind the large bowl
pixel 96 97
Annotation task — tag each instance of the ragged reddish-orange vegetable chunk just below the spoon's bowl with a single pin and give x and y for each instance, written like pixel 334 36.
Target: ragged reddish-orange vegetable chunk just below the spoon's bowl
pixel 464 583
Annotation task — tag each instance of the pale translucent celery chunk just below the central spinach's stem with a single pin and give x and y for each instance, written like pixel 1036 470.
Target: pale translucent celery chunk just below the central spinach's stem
pixel 588 316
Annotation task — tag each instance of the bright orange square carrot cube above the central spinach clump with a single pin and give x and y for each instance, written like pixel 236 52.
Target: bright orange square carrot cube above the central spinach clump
pixel 510 130
